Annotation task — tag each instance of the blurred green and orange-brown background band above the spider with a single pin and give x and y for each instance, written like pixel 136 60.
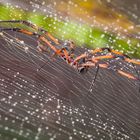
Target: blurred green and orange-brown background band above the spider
pixel 88 23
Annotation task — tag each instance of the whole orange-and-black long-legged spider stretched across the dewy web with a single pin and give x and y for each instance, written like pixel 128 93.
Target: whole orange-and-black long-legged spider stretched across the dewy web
pixel 65 50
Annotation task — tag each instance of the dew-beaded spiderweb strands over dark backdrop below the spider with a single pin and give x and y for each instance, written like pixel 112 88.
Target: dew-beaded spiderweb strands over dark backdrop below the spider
pixel 55 102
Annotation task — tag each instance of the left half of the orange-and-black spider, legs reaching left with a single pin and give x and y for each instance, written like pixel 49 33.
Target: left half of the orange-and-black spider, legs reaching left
pixel 65 52
